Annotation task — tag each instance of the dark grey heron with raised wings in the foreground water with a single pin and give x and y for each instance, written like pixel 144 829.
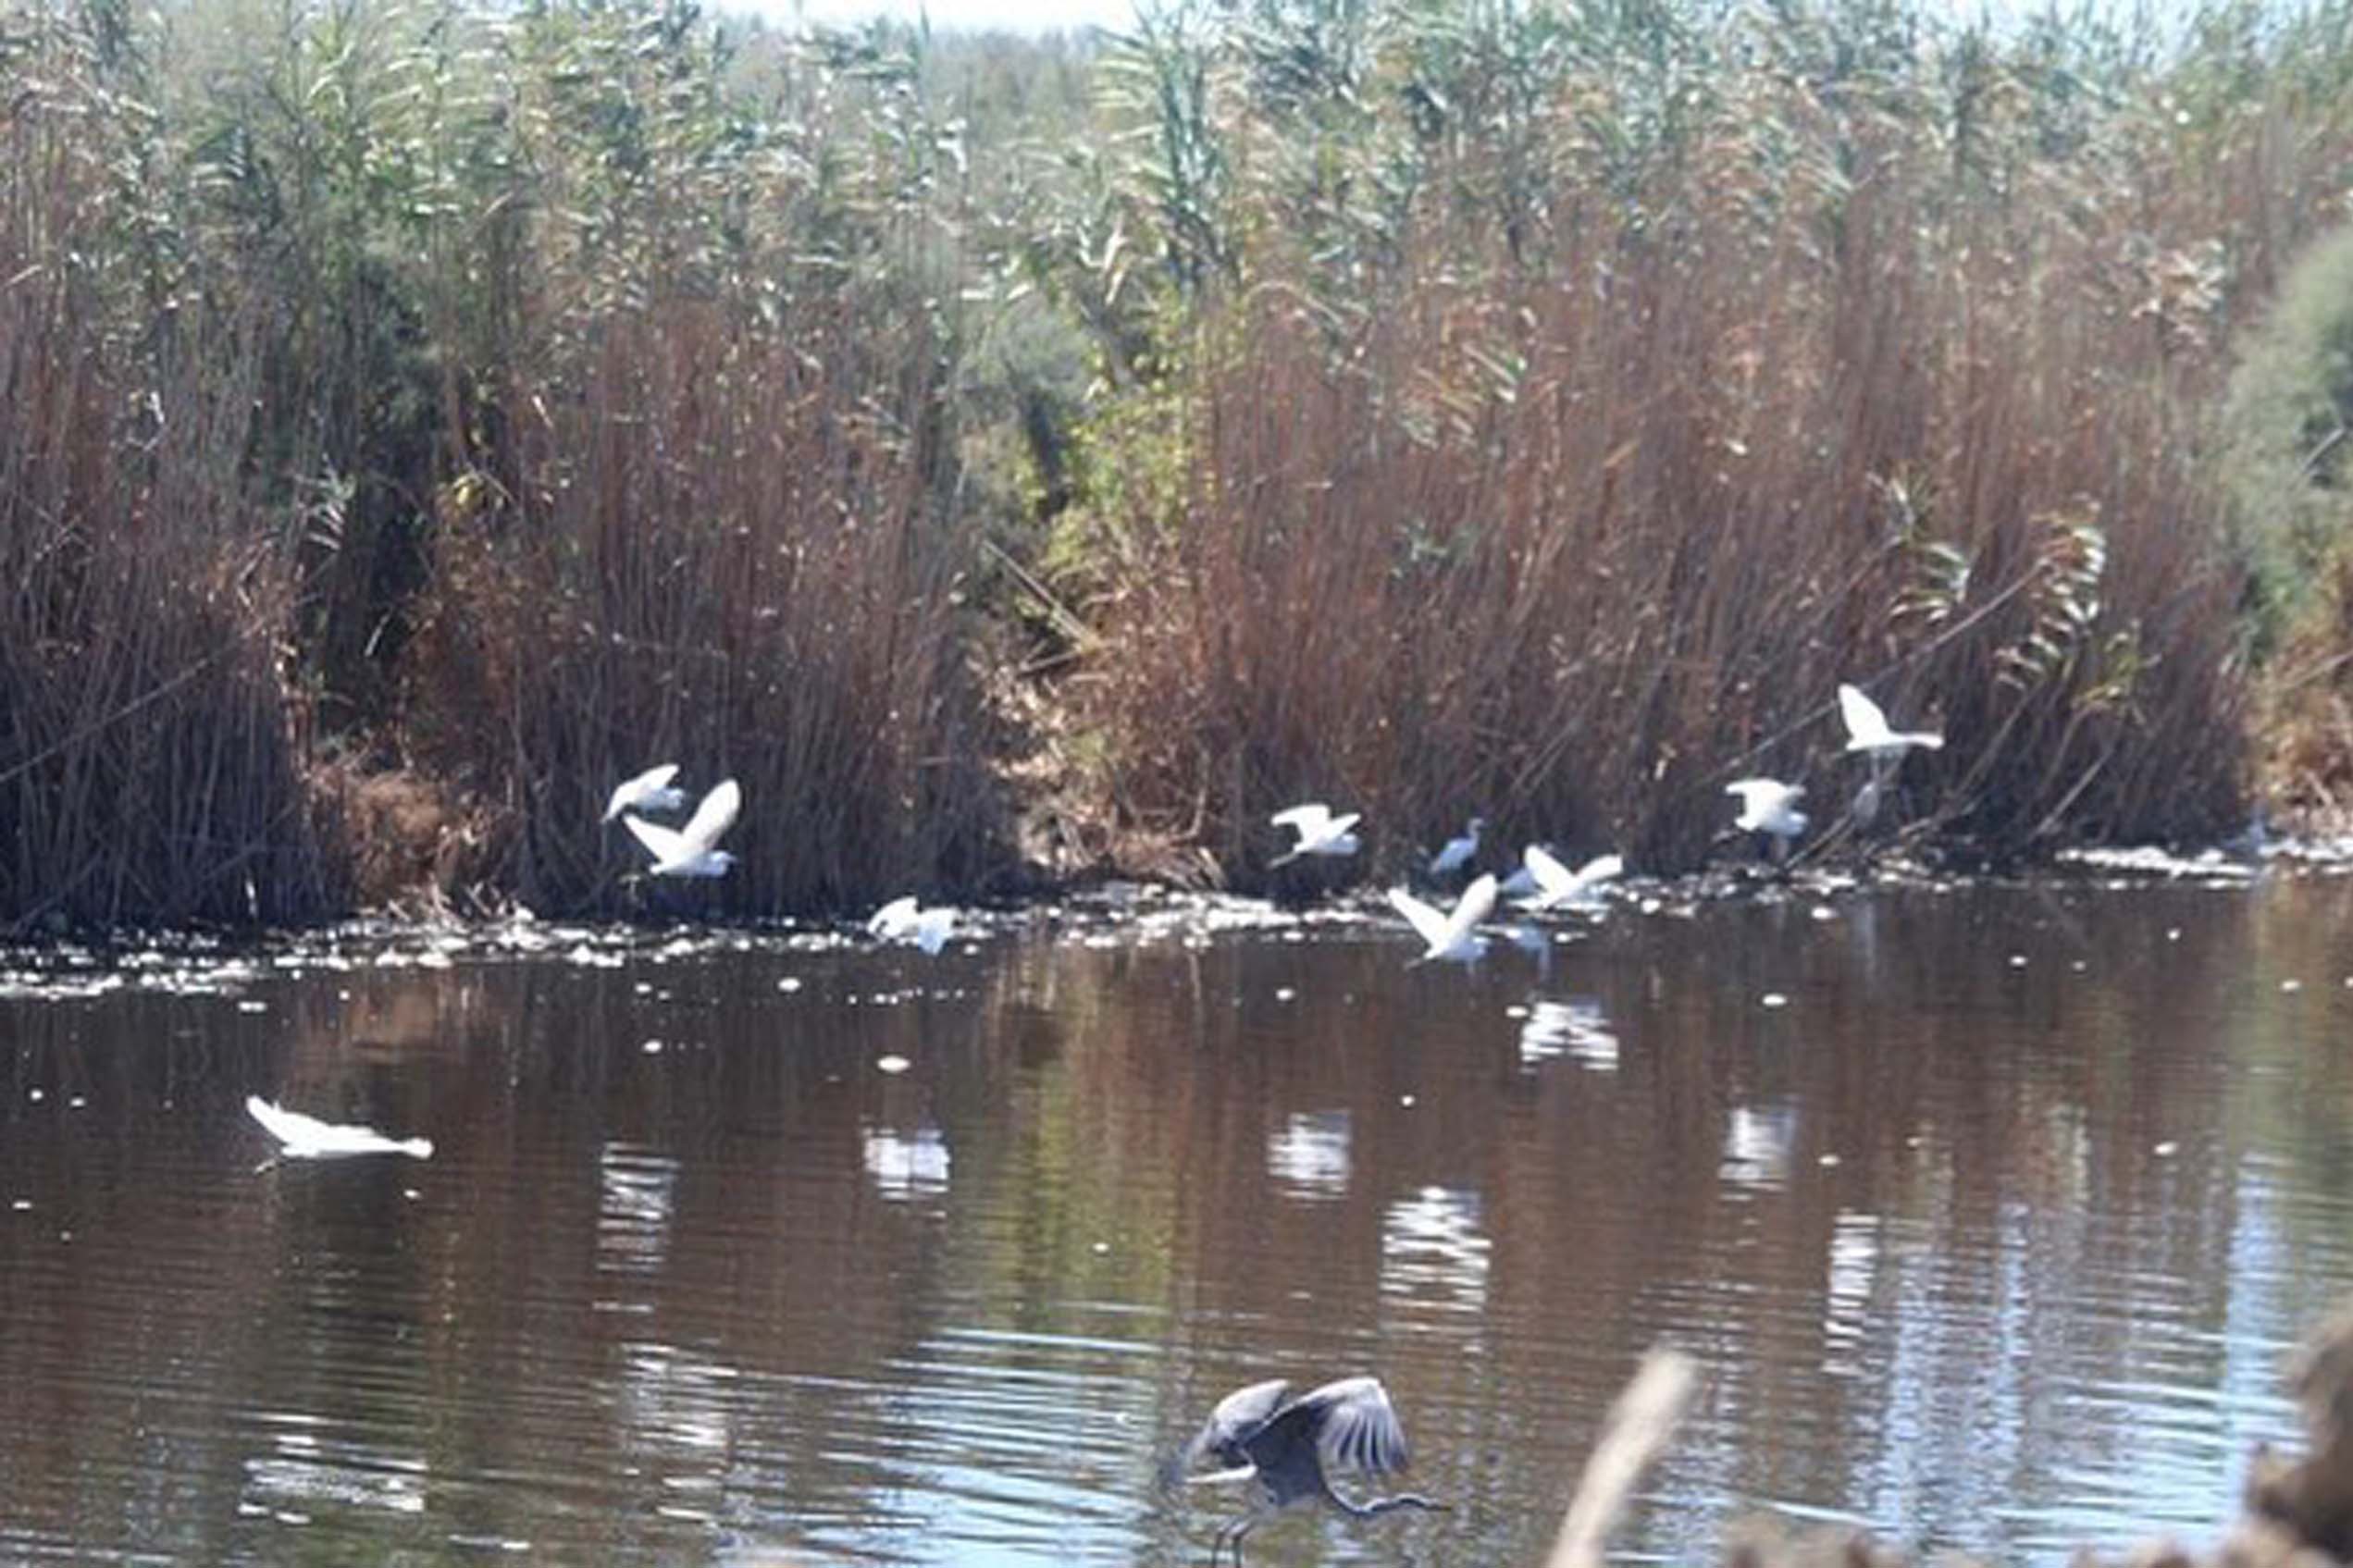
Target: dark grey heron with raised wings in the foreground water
pixel 1286 1447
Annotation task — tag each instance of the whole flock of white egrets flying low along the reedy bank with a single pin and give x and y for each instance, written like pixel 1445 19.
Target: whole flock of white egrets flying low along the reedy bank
pixel 1538 885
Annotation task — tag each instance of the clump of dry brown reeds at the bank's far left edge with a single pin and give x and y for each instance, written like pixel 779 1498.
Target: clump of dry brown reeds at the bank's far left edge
pixel 149 744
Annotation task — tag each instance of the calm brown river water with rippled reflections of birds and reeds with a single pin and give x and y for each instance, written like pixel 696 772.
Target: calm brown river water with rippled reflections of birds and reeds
pixel 1989 1235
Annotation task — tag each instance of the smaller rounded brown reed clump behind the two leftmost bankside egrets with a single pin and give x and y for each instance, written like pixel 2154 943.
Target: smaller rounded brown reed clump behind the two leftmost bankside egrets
pixel 726 554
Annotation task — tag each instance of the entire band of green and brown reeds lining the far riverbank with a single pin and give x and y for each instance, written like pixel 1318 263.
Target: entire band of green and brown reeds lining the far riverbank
pixel 1044 455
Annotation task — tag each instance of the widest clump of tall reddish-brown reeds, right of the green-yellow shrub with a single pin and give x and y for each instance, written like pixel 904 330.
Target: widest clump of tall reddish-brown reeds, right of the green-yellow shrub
pixel 1580 547
